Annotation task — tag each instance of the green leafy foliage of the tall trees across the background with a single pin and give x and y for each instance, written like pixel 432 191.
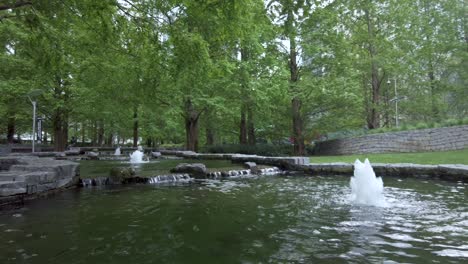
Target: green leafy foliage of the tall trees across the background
pixel 98 63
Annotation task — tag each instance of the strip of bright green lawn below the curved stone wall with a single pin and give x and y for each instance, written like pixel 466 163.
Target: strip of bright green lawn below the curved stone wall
pixel 444 157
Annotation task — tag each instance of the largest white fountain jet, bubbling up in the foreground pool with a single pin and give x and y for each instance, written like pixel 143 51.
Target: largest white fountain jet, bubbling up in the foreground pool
pixel 366 188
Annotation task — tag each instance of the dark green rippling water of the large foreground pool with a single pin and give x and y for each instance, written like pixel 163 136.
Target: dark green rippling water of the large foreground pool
pixel 257 220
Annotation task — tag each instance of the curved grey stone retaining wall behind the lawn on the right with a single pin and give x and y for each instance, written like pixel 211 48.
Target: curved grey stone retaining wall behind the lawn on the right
pixel 436 139
